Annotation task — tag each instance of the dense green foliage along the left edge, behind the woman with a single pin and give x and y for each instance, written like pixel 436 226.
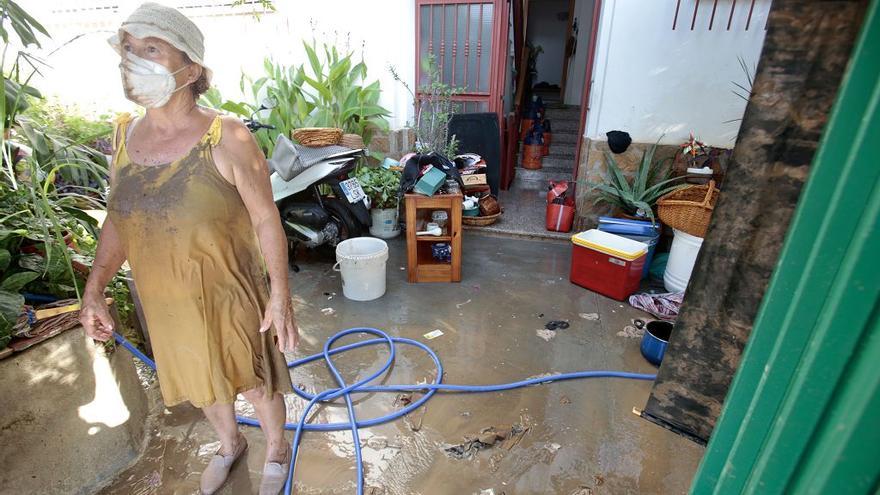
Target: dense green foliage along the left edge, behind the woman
pixel 49 177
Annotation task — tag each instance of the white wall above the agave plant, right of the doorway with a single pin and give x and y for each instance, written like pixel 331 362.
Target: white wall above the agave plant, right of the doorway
pixel 650 81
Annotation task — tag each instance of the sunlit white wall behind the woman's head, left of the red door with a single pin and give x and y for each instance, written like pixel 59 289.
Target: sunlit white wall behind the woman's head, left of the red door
pixel 85 72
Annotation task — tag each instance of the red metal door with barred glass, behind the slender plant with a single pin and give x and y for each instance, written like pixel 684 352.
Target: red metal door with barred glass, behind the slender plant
pixel 467 39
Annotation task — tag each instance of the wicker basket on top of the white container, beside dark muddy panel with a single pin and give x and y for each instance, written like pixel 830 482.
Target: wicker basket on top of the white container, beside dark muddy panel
pixel 689 209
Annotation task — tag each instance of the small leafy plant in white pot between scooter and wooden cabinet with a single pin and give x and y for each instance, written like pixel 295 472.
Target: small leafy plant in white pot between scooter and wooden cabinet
pixel 381 186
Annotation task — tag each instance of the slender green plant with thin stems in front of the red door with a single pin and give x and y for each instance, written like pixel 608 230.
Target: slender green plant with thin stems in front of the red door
pixel 434 109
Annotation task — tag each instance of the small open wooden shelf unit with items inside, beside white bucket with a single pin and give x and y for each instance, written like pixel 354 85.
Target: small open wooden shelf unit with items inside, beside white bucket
pixel 421 265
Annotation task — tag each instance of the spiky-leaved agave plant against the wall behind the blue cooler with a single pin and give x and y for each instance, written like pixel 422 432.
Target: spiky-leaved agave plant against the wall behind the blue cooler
pixel 652 180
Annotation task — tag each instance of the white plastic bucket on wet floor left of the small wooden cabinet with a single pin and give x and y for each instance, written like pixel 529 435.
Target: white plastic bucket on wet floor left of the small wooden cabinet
pixel 361 262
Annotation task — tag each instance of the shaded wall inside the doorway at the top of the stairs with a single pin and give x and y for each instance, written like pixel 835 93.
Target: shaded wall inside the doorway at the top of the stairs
pixel 546 30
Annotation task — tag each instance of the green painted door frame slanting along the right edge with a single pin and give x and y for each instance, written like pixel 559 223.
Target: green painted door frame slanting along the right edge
pixel 803 412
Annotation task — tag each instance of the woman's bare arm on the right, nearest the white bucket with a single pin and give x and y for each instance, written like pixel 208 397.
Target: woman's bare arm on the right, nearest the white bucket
pixel 238 152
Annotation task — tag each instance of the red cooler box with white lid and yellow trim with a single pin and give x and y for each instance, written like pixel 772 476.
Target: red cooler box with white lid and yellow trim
pixel 607 263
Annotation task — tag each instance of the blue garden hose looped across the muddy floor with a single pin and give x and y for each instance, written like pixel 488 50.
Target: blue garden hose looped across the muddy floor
pixel 361 387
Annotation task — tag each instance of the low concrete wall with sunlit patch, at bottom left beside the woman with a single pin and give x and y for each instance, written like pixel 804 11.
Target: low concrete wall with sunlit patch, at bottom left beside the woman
pixel 71 418
